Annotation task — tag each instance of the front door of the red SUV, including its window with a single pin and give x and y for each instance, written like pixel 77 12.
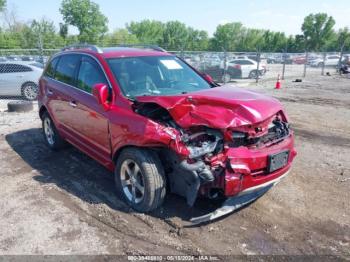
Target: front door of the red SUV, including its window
pixel 88 119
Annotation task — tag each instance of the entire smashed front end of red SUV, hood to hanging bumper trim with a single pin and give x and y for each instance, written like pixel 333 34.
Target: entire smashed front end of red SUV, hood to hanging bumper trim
pixel 221 148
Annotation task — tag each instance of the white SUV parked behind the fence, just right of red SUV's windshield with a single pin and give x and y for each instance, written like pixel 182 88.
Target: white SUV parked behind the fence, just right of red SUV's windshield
pixel 248 67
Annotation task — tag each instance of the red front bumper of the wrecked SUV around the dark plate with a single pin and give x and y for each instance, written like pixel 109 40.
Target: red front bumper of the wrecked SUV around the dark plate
pixel 246 169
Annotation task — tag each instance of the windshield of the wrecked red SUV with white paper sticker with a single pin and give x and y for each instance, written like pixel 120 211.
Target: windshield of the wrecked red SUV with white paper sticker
pixel 155 75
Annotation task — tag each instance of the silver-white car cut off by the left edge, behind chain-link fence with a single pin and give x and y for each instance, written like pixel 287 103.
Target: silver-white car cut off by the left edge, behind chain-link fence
pixel 20 79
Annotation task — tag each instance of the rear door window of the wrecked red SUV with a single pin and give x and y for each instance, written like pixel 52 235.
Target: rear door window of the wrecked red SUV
pixel 66 68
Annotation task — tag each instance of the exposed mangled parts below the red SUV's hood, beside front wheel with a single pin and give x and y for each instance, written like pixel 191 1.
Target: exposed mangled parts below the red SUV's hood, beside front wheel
pixel 205 161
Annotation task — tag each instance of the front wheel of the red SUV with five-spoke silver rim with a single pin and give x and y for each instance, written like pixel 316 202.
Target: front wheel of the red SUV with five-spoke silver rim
pixel 140 179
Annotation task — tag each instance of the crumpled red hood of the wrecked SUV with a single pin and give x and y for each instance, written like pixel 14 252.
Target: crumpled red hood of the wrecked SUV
pixel 220 107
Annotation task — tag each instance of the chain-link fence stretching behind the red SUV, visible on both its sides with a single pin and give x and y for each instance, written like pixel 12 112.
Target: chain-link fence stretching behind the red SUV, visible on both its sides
pixel 20 69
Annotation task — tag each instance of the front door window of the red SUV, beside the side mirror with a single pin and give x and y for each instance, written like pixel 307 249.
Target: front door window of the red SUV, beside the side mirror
pixel 90 74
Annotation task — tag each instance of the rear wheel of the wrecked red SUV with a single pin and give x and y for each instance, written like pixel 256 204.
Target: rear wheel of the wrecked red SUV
pixel 52 138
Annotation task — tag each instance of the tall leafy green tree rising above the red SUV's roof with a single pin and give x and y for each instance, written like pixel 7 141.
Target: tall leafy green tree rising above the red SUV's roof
pixel 87 17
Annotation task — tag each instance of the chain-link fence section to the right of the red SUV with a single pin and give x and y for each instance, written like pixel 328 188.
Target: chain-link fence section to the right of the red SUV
pixel 226 66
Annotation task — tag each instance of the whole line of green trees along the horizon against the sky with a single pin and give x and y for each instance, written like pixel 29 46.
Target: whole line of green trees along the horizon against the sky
pixel 318 33
